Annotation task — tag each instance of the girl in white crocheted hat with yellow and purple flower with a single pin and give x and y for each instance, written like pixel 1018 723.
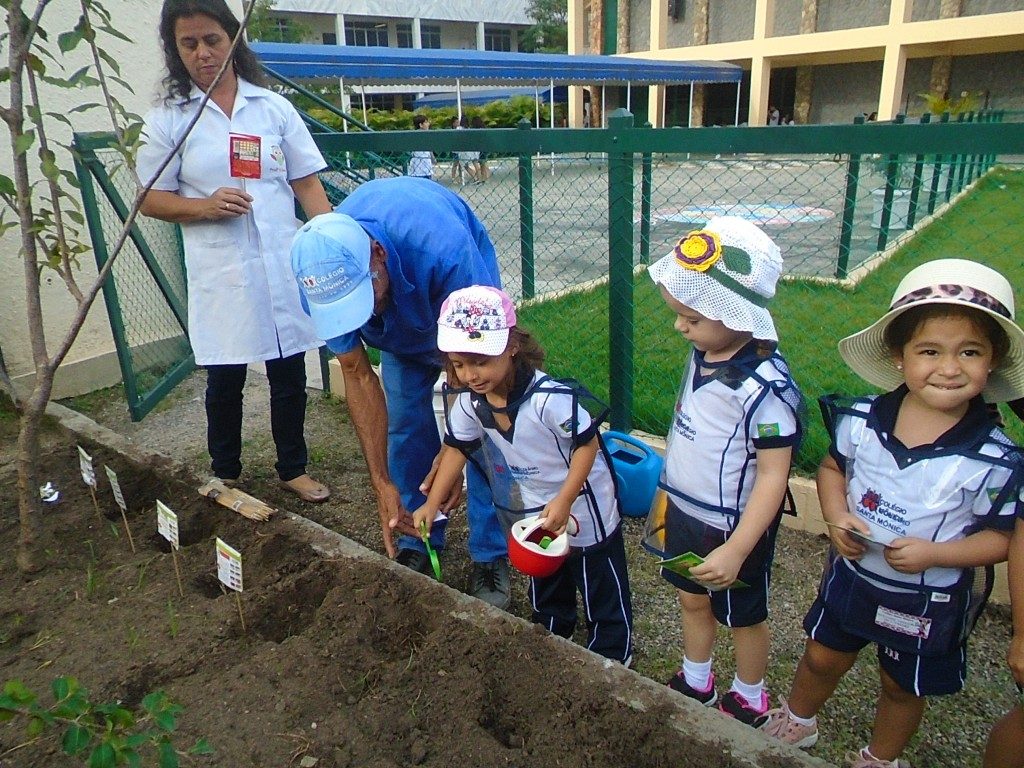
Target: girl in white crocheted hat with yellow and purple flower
pixel 731 446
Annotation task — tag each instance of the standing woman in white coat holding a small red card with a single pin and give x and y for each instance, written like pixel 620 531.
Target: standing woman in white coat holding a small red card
pixel 243 304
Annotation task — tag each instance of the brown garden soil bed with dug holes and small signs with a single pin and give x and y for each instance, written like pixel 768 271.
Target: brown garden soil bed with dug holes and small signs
pixel 346 659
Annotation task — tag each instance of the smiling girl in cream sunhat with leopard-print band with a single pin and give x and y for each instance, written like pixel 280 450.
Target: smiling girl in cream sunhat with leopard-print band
pixel 920 490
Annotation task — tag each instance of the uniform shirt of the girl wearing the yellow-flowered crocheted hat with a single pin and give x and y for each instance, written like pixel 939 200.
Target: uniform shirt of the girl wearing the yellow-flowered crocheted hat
pixel 720 421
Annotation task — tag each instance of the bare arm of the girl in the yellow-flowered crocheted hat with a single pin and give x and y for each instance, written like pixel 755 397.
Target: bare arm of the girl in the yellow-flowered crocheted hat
pixel 722 565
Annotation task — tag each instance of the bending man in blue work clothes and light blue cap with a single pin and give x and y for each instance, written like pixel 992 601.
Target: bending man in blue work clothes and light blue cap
pixel 375 274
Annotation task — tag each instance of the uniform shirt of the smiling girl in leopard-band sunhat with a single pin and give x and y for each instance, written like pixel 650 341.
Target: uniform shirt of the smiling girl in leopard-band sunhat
pixel 967 481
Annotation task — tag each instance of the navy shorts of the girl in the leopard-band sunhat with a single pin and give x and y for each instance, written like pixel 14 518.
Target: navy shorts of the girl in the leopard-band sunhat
pixel 922 676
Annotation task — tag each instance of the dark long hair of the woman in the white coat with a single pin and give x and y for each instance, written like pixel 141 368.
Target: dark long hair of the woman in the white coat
pixel 178 83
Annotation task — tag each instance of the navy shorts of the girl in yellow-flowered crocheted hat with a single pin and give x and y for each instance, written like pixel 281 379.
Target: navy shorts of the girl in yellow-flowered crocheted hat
pixel 745 607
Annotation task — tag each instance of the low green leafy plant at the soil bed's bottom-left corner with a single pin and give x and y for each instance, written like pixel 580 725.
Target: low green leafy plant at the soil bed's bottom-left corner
pixel 104 736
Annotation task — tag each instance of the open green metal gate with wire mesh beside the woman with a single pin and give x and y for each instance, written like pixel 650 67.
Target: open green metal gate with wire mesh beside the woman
pixel 146 293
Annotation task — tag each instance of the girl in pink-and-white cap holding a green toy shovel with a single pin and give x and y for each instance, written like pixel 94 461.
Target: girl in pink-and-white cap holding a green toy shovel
pixel 537 441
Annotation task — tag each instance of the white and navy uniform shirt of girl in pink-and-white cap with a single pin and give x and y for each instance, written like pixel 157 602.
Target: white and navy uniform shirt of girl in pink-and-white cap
pixel 548 424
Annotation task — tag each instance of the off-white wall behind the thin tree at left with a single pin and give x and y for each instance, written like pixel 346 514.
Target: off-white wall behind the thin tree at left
pixel 92 363
